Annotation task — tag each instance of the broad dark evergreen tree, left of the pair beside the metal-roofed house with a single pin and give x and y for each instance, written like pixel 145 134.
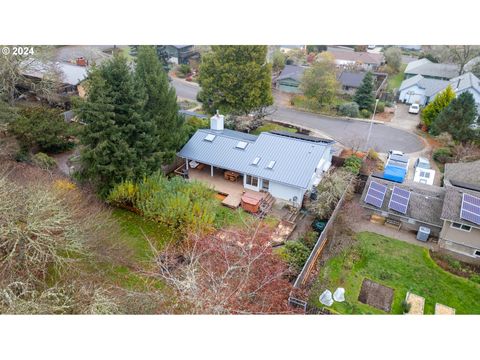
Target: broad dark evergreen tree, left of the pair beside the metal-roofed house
pixel 118 143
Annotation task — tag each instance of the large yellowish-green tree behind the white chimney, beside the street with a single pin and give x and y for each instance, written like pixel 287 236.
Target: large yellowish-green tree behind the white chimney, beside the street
pixel 236 79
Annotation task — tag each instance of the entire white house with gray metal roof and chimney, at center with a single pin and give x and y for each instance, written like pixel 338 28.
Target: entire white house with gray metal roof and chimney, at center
pixel 285 165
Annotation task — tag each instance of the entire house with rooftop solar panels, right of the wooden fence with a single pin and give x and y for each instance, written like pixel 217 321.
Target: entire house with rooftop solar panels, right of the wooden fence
pixel 451 213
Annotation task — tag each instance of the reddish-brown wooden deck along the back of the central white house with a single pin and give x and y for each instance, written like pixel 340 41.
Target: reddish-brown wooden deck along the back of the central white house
pixel 233 190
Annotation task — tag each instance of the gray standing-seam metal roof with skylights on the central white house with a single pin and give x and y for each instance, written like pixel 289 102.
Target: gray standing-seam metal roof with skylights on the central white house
pixel 295 159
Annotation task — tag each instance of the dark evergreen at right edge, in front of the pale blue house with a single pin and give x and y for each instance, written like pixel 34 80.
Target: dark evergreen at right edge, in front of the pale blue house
pixel 456 119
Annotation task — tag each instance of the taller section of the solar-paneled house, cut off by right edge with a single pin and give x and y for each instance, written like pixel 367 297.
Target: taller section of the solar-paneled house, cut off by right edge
pixel 461 229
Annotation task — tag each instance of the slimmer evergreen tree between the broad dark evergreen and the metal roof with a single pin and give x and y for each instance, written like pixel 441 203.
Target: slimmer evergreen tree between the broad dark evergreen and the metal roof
pixel 161 103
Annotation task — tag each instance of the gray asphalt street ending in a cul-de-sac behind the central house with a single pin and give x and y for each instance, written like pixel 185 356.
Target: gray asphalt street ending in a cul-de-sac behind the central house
pixel 351 133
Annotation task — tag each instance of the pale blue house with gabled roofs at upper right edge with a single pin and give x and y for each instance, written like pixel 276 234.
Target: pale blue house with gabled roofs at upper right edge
pixel 421 90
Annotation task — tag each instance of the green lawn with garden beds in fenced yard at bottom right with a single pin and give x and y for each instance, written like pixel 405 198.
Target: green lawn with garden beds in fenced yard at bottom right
pixel 399 265
